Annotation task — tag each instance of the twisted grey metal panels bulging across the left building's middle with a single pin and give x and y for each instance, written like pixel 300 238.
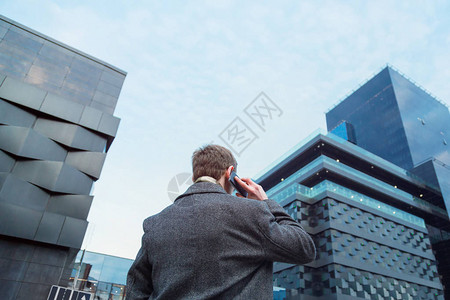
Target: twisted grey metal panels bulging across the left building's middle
pixel 47 168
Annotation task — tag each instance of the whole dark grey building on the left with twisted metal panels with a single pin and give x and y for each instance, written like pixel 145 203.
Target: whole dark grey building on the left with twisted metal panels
pixel 56 126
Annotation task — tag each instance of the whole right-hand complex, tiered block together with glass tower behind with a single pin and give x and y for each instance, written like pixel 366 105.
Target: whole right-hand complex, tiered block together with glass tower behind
pixel 372 194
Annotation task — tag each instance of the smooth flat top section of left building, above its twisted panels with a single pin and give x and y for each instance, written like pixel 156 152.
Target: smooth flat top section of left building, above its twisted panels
pixel 47 64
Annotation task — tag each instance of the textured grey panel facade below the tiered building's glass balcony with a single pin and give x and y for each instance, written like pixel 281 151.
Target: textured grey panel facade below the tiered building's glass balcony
pixel 361 254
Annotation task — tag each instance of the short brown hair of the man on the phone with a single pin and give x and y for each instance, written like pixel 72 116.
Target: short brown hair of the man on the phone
pixel 212 160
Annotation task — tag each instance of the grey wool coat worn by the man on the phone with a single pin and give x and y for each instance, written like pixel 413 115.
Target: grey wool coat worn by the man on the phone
pixel 212 245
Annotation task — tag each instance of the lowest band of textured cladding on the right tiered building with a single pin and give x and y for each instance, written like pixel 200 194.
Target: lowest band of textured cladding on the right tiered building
pixel 336 281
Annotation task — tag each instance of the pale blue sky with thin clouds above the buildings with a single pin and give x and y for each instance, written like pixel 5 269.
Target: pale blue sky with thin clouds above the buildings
pixel 198 68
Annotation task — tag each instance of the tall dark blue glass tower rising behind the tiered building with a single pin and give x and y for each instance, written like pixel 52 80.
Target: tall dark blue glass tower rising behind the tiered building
pixel 395 119
